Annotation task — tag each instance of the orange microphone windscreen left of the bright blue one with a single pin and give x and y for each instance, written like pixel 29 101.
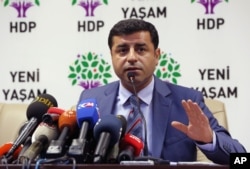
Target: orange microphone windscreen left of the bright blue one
pixel 67 118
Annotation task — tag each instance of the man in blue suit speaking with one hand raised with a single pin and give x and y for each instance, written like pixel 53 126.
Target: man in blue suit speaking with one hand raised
pixel 177 118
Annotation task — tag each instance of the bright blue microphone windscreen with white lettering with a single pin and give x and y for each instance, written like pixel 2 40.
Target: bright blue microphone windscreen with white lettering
pixel 87 110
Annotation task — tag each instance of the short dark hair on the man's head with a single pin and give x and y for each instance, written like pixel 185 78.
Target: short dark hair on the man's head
pixel 129 26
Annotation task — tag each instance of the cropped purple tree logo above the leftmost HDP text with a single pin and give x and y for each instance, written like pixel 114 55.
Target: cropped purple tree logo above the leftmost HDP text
pixel 21 6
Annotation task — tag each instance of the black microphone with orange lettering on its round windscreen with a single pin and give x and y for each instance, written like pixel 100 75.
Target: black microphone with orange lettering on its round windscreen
pixel 34 113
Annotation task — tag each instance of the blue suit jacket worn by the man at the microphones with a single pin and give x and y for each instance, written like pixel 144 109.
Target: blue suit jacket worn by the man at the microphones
pixel 169 143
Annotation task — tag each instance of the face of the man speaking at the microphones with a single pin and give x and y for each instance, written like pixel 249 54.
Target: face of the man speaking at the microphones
pixel 134 53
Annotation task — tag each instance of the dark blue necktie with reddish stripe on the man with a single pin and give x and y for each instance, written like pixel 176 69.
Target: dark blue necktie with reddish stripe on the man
pixel 134 120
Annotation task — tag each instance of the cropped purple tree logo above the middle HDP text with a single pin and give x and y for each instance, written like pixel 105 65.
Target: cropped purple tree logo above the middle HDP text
pixel 89 5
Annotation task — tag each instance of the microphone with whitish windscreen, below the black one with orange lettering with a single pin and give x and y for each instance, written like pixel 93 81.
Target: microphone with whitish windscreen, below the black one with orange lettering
pixel 41 138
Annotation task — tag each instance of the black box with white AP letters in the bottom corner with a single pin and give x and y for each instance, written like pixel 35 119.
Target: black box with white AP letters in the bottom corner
pixel 239 160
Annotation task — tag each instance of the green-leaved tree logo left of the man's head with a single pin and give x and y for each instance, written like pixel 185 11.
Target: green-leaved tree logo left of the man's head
pixel 89 71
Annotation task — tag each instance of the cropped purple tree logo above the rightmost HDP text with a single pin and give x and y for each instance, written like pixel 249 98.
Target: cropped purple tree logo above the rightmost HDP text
pixel 209 5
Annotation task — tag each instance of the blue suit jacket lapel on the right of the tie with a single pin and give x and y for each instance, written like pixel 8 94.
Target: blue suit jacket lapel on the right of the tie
pixel 161 110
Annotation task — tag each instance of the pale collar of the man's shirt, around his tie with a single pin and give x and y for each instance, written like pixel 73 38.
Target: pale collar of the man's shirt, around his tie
pixel 145 94
